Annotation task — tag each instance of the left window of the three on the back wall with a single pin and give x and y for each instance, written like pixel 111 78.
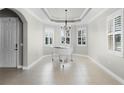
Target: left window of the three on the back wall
pixel 48 36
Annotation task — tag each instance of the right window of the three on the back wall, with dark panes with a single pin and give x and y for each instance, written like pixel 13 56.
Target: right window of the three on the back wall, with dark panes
pixel 81 36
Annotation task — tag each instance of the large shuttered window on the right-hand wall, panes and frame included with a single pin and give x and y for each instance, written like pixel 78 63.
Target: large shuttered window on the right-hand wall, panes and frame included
pixel 115 32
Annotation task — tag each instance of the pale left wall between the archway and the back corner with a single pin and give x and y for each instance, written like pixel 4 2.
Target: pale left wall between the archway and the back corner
pixel 33 35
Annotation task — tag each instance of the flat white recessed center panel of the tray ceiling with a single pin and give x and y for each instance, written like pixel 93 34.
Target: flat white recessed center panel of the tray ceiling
pixel 59 13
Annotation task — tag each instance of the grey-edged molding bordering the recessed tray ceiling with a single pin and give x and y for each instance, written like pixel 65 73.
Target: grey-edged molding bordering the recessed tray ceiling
pixel 71 21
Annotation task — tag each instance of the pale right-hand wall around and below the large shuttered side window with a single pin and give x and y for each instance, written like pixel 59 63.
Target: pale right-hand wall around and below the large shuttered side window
pixel 97 45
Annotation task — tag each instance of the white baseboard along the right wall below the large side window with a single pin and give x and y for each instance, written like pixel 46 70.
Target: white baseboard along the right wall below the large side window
pixel 107 70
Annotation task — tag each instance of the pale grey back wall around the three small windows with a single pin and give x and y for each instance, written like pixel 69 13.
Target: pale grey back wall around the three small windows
pixel 57 33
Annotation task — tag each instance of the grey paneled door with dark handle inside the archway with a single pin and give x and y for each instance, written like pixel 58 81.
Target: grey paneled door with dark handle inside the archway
pixel 8 42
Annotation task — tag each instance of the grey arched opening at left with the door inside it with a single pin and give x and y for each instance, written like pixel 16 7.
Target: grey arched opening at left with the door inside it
pixel 7 15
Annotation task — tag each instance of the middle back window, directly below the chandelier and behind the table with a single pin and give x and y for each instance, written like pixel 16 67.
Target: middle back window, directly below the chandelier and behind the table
pixel 65 37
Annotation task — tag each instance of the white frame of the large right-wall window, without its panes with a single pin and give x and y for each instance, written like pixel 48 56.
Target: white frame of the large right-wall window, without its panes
pixel 118 12
